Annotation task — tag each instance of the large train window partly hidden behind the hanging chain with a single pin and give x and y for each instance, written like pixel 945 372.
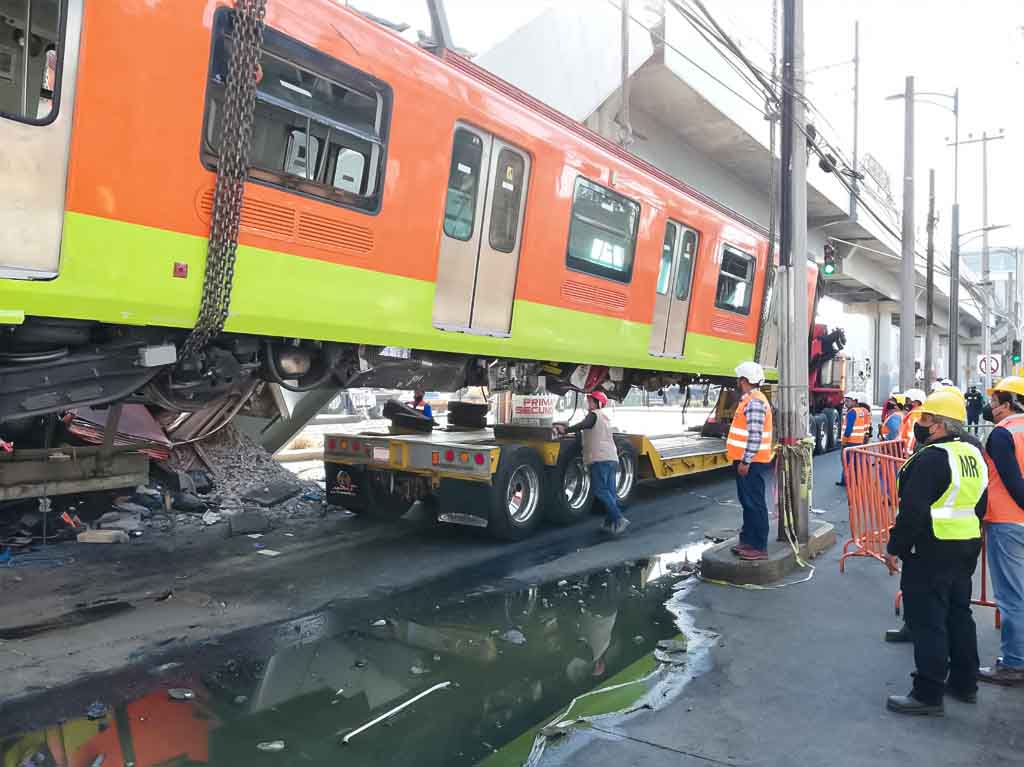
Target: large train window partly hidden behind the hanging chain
pixel 321 126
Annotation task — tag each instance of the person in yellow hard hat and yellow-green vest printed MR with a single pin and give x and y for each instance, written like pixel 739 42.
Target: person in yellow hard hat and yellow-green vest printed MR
pixel 937 537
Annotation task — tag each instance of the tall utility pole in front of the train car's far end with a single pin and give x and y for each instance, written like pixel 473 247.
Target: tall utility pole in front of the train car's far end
pixel 795 460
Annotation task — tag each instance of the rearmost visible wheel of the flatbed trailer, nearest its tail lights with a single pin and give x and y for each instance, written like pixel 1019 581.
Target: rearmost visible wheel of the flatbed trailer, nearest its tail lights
pixel 518 495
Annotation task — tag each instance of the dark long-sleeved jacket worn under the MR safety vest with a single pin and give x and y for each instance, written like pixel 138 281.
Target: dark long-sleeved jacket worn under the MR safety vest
pixel 923 482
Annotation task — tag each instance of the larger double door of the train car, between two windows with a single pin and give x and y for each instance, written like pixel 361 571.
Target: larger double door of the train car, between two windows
pixel 482 235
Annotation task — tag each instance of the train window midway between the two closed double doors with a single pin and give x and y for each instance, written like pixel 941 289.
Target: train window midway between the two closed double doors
pixel 603 233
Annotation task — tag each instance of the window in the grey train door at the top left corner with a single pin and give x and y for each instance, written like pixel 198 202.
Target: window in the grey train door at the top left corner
pixel 31 58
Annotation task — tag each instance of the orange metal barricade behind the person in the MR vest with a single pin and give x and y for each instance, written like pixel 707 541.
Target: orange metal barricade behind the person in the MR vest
pixel 871 487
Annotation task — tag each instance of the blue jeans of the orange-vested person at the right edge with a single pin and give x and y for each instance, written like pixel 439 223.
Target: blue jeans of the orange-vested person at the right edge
pixel 1005 545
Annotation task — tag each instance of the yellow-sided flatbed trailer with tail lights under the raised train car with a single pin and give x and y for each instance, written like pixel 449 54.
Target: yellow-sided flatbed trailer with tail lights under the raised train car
pixel 505 480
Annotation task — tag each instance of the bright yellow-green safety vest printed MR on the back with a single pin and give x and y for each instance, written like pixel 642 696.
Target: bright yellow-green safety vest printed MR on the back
pixel 954 517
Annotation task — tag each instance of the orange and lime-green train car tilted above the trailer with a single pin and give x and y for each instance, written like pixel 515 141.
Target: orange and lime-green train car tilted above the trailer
pixel 399 197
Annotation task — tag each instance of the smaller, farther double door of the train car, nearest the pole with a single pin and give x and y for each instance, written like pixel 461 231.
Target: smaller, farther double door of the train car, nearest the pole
pixel 672 302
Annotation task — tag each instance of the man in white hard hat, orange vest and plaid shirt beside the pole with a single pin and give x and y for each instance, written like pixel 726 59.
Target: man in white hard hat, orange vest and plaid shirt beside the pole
pixel 750 448
